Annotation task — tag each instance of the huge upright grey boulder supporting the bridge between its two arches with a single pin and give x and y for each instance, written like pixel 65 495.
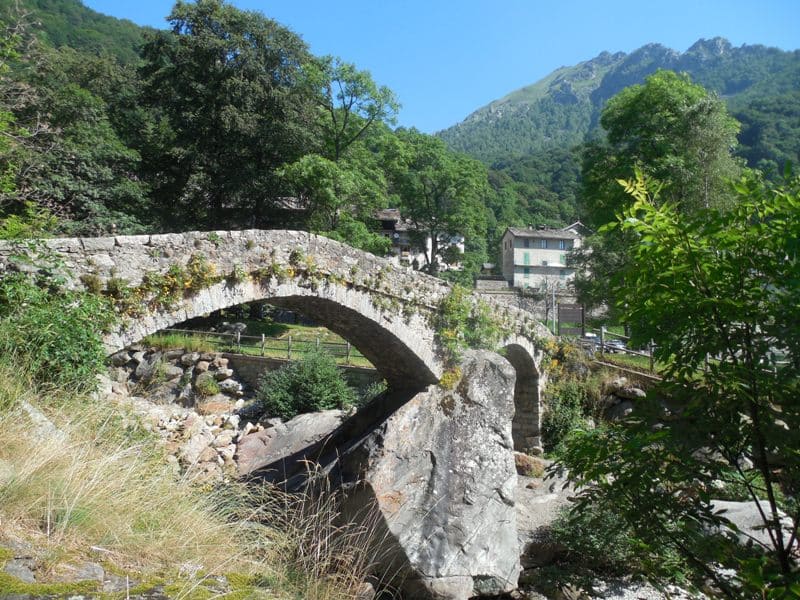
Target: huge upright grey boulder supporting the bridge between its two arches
pixel 440 474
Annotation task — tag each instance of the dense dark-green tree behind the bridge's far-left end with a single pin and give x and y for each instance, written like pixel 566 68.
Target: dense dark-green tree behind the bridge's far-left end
pixel 79 167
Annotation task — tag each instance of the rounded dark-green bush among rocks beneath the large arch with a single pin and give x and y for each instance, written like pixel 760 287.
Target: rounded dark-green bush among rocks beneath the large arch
pixel 308 385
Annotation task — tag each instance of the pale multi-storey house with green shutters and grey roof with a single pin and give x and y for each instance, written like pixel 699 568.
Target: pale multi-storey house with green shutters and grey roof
pixel 536 257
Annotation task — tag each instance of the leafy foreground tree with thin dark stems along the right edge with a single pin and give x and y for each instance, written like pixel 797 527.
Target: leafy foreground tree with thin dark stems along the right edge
pixel 719 292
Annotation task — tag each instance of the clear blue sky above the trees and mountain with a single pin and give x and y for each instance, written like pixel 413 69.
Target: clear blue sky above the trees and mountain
pixel 447 59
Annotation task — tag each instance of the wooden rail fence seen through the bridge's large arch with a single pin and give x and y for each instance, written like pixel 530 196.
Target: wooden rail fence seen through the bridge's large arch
pixel 287 347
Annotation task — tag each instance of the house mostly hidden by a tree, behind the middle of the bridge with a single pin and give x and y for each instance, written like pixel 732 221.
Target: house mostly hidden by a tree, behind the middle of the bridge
pixel 409 245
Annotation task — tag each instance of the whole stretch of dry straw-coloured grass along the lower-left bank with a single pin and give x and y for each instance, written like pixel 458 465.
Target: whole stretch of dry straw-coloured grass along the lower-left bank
pixel 101 481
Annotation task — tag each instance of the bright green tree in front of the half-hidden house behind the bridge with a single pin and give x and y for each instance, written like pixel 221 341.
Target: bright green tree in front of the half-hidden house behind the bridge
pixel 440 191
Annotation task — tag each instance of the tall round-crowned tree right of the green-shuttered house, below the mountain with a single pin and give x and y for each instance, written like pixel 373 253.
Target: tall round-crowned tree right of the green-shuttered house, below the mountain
pixel 672 131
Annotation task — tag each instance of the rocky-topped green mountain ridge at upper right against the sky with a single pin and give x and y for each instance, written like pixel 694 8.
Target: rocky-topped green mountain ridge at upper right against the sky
pixel 562 109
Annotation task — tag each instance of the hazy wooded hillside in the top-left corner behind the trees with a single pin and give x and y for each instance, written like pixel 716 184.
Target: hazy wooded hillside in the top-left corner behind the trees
pixel 70 23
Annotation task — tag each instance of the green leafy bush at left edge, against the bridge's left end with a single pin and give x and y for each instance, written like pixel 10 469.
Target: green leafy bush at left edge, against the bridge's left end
pixel 55 333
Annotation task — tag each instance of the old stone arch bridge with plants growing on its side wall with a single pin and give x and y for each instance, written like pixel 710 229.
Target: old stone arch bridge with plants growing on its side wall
pixel 385 311
